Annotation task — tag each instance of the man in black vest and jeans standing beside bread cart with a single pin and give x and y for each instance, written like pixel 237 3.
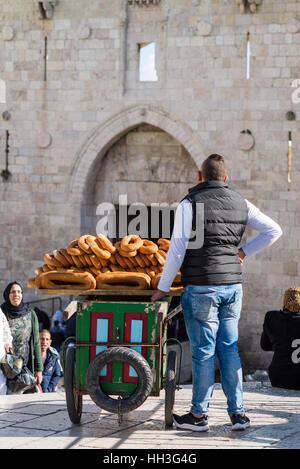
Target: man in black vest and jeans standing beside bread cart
pixel 212 279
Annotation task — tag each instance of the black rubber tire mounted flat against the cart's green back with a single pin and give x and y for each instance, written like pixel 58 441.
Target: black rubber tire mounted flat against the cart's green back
pixel 119 354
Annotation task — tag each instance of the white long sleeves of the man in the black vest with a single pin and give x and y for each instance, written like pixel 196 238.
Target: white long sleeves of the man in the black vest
pixel 269 232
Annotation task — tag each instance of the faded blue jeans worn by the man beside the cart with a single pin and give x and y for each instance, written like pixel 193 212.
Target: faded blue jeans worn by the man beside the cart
pixel 211 315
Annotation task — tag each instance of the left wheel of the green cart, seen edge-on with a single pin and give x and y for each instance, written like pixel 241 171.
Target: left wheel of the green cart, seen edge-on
pixel 74 400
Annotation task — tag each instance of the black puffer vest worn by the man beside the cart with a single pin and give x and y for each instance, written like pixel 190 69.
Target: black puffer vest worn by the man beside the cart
pixel 225 219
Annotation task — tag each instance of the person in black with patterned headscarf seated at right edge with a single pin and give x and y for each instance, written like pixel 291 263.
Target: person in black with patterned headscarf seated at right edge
pixel 281 334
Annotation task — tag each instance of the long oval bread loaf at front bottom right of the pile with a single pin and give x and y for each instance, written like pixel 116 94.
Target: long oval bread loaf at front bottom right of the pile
pixel 123 281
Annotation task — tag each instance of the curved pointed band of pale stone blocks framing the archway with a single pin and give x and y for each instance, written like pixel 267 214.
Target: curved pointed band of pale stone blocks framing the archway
pixel 105 135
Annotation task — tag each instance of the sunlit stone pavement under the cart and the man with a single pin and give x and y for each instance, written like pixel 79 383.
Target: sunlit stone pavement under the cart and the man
pixel 41 421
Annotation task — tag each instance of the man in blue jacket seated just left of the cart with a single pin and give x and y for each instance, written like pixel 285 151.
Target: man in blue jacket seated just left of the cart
pixel 52 367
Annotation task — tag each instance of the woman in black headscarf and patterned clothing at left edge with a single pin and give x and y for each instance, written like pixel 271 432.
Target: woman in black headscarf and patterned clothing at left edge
pixel 24 328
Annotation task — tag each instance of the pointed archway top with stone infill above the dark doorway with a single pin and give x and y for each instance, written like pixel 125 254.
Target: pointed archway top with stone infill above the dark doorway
pixel 142 152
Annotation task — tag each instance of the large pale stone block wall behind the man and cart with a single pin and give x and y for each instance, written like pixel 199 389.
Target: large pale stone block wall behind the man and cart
pixel 69 110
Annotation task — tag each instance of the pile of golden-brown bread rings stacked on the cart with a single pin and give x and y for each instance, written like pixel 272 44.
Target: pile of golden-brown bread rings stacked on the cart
pixel 93 262
